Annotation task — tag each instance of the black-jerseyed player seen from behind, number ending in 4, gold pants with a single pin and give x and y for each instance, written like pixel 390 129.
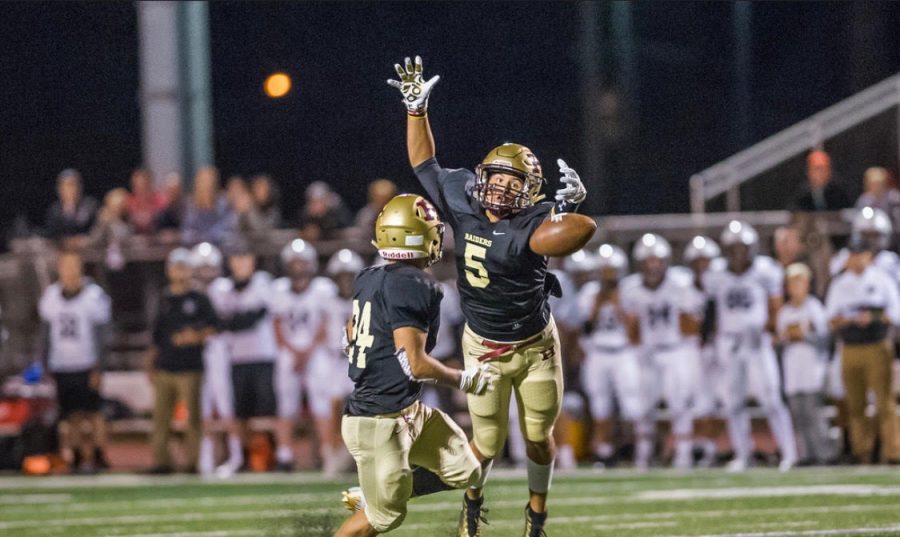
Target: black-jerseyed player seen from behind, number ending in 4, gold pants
pixel 402 448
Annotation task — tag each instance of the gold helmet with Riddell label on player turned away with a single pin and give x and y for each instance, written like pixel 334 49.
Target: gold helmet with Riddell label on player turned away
pixel 409 228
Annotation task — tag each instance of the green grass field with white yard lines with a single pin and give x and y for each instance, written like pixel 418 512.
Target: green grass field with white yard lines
pixel 845 501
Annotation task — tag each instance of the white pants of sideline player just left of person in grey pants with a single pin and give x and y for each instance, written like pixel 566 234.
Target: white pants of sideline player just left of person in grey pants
pixel 751 369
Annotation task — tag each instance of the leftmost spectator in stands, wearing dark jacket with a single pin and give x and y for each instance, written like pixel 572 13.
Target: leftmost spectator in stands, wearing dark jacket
pixel 72 214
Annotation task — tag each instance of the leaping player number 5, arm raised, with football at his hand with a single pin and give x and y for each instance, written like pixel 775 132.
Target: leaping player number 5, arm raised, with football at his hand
pixel 503 237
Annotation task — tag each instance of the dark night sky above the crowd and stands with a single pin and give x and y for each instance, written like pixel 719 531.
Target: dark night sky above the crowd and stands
pixel 69 88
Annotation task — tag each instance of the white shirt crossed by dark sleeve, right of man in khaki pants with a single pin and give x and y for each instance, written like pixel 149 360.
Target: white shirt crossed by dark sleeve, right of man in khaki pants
pixel 258 343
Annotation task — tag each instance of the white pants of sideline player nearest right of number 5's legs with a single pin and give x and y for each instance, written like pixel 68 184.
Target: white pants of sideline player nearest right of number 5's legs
pixel 612 376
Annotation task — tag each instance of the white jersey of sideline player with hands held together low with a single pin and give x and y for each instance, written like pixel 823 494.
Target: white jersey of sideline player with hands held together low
pixel 303 313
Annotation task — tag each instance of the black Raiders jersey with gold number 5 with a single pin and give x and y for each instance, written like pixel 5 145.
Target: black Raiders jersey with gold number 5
pixel 503 285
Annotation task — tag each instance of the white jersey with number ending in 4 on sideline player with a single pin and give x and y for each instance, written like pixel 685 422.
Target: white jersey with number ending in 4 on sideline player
pixel 659 309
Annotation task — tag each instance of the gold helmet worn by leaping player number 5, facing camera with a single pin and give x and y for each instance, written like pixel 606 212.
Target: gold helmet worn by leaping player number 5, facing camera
pixel 514 159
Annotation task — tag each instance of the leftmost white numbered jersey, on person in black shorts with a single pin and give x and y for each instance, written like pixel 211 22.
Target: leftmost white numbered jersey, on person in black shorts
pixel 73 341
